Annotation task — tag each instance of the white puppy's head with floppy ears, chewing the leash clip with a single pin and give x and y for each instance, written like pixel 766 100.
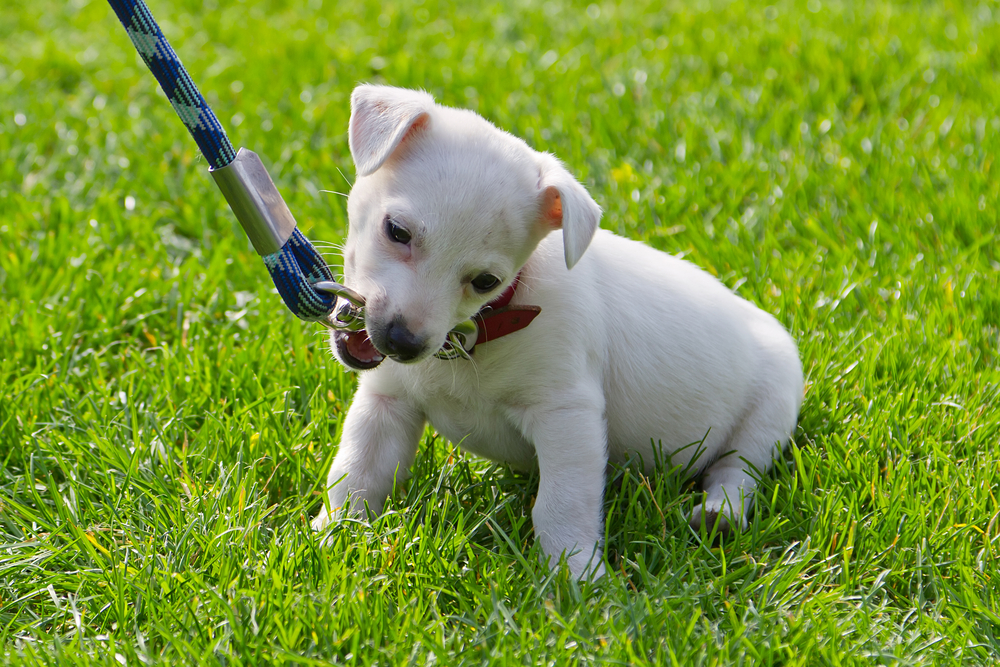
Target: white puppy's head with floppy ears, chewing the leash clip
pixel 445 211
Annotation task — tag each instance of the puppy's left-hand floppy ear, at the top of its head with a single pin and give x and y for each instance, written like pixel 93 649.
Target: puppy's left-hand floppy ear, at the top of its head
pixel 381 118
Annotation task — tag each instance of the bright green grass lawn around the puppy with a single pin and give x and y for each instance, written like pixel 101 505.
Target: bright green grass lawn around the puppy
pixel 166 426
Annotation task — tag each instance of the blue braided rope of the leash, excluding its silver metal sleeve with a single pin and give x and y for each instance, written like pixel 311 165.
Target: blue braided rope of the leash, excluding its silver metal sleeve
pixel 297 266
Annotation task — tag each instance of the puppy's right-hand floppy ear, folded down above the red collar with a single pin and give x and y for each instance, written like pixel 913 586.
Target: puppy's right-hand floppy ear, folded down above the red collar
pixel 566 205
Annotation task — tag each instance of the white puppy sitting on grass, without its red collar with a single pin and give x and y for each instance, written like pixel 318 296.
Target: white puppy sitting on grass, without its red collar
pixel 635 353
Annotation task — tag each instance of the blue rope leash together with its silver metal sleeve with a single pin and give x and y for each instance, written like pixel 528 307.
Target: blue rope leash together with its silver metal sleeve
pixel 294 264
